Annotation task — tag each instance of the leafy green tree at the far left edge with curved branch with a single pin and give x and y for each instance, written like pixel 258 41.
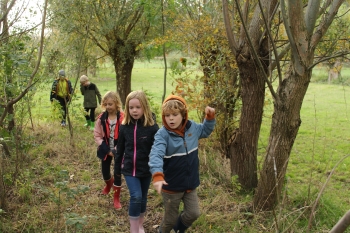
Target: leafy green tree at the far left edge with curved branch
pixel 14 56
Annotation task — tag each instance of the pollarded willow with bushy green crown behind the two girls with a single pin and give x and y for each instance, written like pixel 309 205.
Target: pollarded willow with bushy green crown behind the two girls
pixel 117 27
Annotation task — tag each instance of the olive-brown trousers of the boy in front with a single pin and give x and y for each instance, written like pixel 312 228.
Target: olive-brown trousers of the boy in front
pixel 171 203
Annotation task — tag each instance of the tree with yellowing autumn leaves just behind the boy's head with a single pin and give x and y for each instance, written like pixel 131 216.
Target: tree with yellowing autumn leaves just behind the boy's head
pixel 200 32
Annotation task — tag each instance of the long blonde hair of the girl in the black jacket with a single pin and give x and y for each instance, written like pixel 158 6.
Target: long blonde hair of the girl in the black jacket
pixel 147 113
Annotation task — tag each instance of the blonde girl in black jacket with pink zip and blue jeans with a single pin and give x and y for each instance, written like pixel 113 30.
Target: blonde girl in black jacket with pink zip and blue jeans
pixel 136 137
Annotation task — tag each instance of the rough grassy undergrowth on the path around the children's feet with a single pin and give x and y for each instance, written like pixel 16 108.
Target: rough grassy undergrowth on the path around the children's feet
pixel 58 189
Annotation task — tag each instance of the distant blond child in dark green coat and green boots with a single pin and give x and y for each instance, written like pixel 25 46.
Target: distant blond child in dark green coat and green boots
pixel 90 92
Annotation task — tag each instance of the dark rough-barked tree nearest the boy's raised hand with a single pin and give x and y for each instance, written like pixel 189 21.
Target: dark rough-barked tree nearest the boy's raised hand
pixel 253 68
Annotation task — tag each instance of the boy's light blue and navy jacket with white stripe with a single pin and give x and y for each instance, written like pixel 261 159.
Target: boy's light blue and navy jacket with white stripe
pixel 175 157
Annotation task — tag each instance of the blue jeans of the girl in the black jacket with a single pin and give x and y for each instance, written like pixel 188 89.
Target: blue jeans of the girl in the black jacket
pixel 138 189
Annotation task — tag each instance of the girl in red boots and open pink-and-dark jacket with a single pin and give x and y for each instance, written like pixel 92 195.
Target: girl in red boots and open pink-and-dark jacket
pixel 106 134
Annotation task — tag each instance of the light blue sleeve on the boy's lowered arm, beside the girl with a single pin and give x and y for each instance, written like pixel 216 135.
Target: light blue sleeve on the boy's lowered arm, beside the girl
pixel 158 151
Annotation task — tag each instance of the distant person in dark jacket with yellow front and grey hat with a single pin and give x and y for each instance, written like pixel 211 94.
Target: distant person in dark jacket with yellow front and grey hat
pixel 61 91
